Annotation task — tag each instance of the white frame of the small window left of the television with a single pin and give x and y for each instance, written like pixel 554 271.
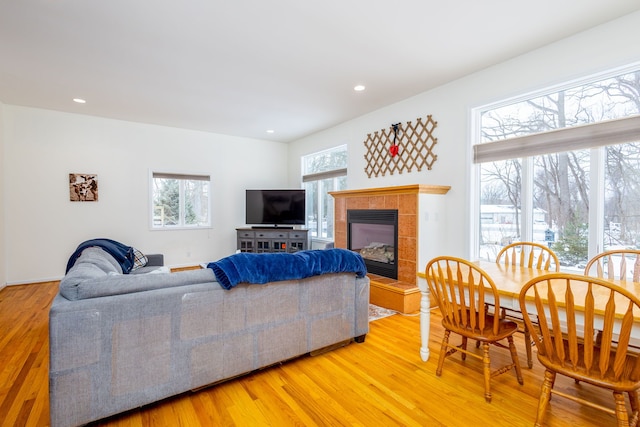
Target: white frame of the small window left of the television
pixel 180 176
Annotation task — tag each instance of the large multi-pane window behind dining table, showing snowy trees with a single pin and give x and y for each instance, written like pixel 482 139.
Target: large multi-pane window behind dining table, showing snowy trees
pixel 562 168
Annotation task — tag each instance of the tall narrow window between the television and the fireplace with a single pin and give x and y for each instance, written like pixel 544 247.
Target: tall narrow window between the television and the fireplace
pixel 323 172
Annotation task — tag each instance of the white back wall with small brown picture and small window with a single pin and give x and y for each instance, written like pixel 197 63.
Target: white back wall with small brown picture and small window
pixel 42 227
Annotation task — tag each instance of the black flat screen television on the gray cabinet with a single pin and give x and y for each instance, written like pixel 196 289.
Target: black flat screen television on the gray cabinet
pixel 275 207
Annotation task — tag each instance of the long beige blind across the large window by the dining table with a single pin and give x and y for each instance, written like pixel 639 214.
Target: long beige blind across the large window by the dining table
pixel 610 132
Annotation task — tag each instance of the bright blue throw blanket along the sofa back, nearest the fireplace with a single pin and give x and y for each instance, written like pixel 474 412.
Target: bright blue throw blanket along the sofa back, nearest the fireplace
pixel 248 267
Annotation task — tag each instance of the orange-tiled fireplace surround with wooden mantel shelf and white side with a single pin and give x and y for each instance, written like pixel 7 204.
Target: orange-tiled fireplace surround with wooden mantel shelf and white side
pixel 420 216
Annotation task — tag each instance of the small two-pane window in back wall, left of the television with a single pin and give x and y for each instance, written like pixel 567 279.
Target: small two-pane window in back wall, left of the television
pixel 180 201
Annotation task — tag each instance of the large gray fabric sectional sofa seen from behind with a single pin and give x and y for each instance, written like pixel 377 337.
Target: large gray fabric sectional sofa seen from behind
pixel 121 341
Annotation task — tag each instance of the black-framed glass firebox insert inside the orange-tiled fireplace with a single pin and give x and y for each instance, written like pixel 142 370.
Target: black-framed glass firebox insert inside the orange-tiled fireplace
pixel 374 234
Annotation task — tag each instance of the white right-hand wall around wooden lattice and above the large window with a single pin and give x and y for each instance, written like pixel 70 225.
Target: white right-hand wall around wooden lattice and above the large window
pixel 610 45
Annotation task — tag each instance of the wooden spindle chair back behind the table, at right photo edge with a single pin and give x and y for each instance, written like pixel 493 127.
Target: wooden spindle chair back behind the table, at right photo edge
pixel 622 264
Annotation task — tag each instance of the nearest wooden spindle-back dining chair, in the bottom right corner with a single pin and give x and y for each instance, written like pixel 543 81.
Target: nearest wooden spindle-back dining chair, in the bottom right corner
pixel 570 308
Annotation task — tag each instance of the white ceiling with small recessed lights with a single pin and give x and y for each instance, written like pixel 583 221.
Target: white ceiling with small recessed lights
pixel 240 67
